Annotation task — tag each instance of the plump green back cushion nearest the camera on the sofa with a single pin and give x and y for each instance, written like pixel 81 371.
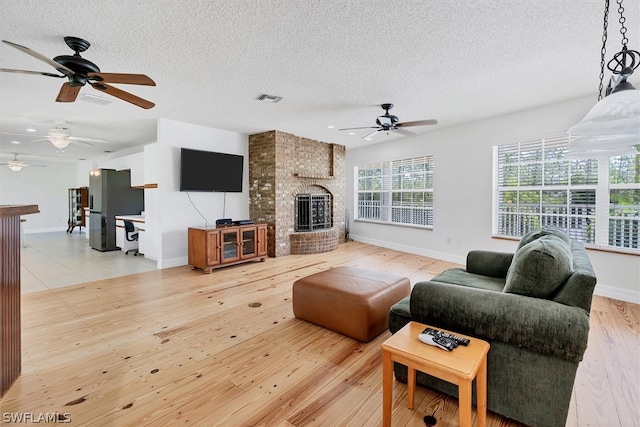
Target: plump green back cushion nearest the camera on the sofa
pixel 539 267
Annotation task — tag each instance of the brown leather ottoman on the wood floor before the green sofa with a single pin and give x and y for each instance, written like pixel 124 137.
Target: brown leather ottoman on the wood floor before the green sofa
pixel 352 301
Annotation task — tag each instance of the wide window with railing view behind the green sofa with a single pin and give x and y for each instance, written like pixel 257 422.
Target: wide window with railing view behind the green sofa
pixel 595 200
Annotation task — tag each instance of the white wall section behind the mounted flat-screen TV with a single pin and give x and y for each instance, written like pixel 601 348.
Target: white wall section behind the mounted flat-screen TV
pixel 176 212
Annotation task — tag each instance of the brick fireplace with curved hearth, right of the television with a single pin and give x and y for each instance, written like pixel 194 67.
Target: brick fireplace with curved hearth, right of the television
pixel 282 167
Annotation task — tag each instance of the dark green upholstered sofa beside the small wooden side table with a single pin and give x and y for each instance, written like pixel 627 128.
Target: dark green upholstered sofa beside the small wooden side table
pixel 533 309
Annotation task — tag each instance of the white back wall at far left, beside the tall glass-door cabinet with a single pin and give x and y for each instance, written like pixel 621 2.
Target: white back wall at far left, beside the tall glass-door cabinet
pixel 46 187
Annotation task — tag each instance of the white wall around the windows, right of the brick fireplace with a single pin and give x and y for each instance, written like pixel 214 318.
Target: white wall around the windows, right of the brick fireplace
pixel 463 178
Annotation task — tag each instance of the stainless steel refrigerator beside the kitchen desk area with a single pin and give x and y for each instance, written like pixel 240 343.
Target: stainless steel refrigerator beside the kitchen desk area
pixel 110 194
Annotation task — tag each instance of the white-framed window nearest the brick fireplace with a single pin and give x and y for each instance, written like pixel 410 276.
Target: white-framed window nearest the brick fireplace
pixel 397 192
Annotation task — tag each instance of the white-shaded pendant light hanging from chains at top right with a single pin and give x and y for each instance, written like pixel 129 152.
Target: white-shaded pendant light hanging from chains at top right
pixel 614 121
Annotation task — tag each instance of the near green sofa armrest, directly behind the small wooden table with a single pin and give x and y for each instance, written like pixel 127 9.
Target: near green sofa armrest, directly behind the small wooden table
pixel 539 325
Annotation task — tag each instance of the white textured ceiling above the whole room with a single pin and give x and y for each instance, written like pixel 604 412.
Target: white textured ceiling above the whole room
pixel 333 62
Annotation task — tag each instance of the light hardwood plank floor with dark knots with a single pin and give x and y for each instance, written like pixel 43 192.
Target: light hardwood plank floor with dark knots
pixel 179 347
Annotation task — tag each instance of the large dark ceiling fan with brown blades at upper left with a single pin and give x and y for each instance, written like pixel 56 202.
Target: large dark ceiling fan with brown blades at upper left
pixel 80 71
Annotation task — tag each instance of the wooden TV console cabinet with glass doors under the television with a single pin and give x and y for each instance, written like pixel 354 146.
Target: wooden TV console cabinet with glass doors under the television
pixel 211 248
